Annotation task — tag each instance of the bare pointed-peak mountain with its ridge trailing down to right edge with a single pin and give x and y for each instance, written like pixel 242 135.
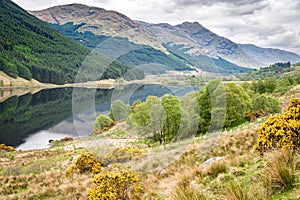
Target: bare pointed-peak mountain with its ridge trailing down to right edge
pixel 194 40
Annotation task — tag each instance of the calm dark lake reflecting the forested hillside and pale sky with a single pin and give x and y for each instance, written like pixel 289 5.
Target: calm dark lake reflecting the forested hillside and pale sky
pixel 31 120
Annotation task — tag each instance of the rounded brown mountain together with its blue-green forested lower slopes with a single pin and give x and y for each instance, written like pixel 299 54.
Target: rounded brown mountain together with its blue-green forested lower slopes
pixel 112 34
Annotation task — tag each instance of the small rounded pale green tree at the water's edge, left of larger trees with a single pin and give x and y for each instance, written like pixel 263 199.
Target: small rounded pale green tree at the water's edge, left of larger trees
pixel 119 110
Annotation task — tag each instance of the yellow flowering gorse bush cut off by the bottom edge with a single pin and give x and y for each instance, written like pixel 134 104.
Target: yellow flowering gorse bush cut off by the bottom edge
pixel 122 184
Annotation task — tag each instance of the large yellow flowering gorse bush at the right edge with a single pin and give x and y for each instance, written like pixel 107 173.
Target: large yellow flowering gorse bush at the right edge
pixel 281 131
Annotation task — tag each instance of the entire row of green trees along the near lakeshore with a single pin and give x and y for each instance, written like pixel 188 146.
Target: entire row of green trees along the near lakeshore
pixel 216 106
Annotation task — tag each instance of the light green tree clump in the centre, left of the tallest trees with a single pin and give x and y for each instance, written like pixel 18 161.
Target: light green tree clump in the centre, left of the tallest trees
pixel 160 118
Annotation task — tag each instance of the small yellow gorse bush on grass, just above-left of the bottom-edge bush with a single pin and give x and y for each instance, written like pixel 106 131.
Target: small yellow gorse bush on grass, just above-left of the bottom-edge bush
pixel 86 162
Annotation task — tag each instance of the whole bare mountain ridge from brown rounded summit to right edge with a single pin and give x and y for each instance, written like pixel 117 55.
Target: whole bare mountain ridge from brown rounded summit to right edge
pixel 189 40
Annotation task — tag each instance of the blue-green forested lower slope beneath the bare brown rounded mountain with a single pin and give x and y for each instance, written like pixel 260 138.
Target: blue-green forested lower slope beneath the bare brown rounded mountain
pixel 136 55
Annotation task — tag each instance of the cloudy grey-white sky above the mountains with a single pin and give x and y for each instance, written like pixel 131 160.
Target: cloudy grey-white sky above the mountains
pixel 267 23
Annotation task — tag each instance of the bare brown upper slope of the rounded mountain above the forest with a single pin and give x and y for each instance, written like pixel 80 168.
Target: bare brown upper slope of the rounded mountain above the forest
pixel 100 22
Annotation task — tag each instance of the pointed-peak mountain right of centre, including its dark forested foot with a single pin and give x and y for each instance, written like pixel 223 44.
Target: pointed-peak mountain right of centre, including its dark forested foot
pixel 200 47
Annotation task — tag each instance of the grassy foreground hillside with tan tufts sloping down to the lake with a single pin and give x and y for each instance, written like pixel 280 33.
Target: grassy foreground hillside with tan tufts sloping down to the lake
pixel 220 165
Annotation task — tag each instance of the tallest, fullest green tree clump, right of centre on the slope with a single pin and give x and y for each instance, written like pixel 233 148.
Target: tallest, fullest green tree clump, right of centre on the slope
pixel 220 105
